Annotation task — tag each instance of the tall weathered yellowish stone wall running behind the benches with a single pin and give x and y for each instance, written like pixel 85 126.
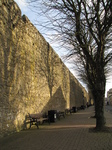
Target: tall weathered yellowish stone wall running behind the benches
pixel 32 76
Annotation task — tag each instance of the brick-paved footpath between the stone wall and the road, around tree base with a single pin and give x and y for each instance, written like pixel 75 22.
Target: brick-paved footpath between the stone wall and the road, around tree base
pixel 69 133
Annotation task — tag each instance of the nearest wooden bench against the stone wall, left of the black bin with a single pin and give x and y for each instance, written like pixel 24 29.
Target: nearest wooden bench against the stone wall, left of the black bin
pixel 36 119
